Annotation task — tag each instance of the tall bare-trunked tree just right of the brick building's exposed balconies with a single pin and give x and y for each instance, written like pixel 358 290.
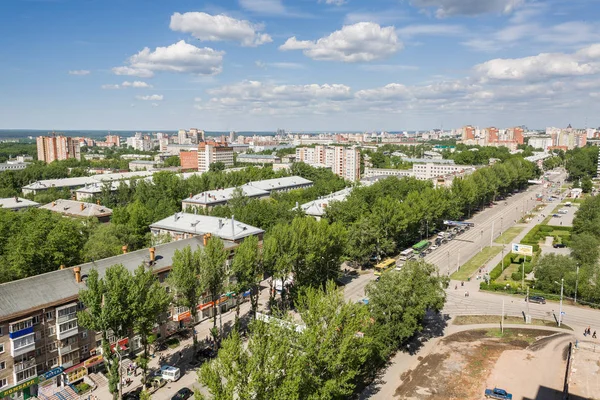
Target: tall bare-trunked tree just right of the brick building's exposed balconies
pixel 149 301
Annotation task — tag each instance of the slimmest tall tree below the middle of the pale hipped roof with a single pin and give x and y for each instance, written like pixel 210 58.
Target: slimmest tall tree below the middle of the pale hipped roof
pixel 213 272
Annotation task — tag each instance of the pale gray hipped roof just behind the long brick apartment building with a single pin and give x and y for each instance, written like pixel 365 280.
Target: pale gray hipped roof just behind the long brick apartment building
pixel 225 228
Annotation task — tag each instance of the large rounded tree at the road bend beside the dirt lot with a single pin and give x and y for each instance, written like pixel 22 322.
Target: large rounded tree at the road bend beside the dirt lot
pixel 399 301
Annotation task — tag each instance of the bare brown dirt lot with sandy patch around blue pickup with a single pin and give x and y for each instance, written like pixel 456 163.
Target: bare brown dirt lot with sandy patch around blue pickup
pixel 528 363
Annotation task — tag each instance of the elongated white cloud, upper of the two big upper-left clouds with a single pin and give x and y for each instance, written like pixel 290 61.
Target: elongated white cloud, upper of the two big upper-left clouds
pixel 208 27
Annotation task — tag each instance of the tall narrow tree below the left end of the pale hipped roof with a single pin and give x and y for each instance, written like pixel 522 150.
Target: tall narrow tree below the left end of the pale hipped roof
pixel 185 278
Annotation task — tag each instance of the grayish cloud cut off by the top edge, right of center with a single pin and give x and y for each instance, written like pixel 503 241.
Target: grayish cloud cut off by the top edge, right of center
pixel 447 8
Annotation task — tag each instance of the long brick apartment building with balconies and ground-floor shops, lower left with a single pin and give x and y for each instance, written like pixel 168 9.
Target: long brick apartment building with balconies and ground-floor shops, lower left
pixel 42 346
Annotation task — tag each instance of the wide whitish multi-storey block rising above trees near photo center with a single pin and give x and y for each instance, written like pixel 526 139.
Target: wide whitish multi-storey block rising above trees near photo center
pixel 343 161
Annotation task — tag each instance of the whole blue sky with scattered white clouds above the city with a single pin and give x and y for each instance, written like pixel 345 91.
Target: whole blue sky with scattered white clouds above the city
pixel 299 65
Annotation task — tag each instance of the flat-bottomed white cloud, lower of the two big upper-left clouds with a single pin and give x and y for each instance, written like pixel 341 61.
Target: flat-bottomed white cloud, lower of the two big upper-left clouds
pixel 179 57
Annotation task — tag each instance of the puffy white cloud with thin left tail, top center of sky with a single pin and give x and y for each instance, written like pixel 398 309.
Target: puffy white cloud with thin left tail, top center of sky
pixel 361 42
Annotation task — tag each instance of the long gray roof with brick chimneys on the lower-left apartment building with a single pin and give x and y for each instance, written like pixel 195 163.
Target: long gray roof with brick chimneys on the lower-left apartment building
pixel 21 297
